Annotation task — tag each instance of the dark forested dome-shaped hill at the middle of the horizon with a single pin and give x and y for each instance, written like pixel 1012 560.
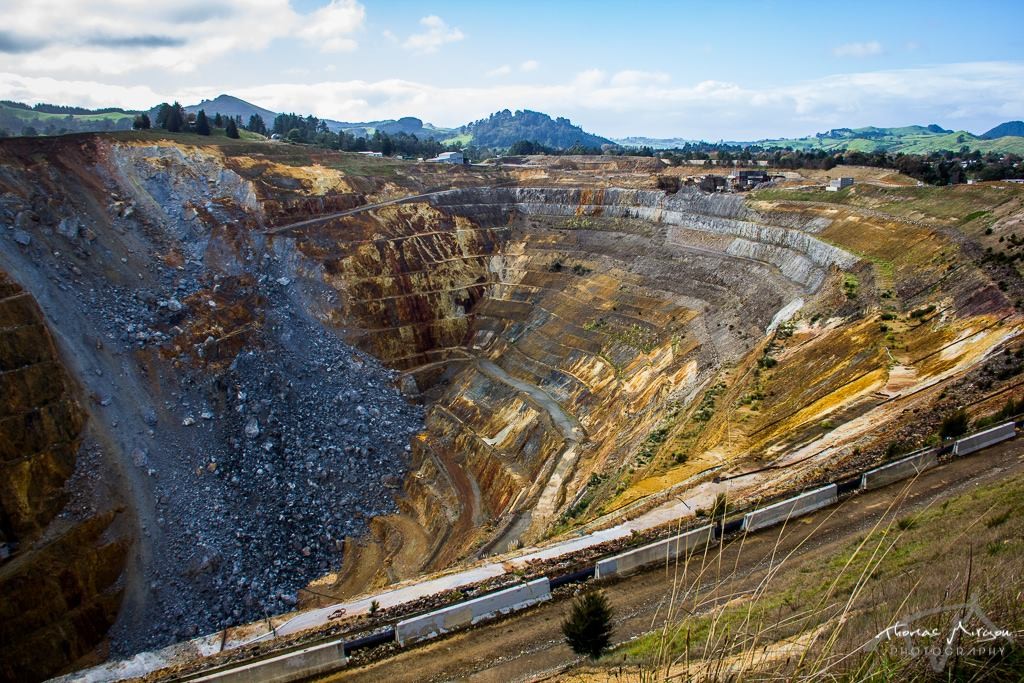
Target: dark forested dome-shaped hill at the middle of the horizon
pixel 504 129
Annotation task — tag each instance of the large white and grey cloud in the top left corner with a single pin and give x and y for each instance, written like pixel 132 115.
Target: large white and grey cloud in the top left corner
pixel 45 37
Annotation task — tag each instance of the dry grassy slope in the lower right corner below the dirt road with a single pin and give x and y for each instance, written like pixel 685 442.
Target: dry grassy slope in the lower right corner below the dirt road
pixel 813 620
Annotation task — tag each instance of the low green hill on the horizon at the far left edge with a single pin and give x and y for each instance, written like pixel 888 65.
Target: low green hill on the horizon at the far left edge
pixel 21 119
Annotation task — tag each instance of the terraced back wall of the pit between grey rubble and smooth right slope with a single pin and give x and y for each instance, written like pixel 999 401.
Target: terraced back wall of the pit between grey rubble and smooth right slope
pixel 609 303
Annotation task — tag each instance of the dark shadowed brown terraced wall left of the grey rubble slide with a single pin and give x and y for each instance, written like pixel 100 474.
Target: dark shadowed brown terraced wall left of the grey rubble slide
pixel 58 577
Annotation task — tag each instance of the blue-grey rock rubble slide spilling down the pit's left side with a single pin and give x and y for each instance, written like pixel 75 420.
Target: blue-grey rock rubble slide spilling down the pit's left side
pixel 245 480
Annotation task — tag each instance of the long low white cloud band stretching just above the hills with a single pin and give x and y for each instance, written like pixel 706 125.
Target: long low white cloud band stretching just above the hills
pixel 972 96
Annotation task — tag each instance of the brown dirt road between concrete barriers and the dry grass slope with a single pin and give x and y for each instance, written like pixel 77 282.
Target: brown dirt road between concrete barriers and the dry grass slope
pixel 529 647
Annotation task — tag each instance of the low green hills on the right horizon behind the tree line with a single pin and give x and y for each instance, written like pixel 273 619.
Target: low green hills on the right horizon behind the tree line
pixel 909 140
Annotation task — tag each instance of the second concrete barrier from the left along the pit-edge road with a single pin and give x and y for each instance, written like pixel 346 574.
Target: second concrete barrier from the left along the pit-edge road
pixel 472 612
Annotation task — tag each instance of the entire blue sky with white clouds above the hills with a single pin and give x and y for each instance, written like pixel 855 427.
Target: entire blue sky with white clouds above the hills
pixel 733 71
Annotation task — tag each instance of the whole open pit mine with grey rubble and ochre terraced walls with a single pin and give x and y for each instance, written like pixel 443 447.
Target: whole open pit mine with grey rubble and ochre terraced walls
pixel 241 380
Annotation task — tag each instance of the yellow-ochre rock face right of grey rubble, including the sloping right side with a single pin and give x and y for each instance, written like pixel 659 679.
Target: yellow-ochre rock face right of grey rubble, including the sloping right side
pixel 656 351
